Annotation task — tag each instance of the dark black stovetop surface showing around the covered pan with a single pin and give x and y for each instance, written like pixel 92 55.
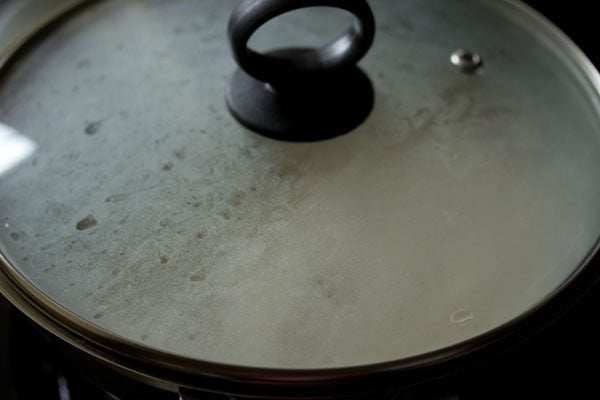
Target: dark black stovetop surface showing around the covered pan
pixel 559 363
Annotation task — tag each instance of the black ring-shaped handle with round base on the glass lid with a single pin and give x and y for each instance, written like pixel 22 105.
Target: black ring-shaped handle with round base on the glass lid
pixel 300 94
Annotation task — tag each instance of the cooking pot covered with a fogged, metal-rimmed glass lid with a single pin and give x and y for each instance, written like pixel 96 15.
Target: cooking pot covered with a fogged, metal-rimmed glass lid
pixel 326 230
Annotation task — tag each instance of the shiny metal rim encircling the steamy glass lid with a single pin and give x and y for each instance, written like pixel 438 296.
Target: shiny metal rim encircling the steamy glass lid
pixel 171 371
